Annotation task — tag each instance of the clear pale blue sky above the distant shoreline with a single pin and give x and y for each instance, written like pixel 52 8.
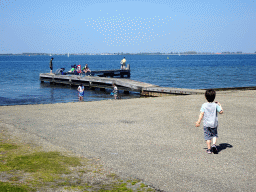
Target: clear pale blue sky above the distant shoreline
pixel 129 26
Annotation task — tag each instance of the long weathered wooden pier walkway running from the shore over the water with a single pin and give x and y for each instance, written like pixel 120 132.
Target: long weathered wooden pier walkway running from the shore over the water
pixel 127 85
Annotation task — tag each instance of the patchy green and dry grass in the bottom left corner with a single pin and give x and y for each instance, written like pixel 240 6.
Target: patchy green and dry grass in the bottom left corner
pixel 27 168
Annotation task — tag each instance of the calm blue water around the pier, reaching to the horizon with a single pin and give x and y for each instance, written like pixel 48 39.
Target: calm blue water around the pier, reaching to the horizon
pixel 19 75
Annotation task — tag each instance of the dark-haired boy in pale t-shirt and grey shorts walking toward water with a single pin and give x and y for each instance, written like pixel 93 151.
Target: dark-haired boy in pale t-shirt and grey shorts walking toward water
pixel 209 111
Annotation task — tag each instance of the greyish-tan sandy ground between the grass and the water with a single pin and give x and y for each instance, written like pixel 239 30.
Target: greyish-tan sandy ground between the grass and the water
pixel 153 139
